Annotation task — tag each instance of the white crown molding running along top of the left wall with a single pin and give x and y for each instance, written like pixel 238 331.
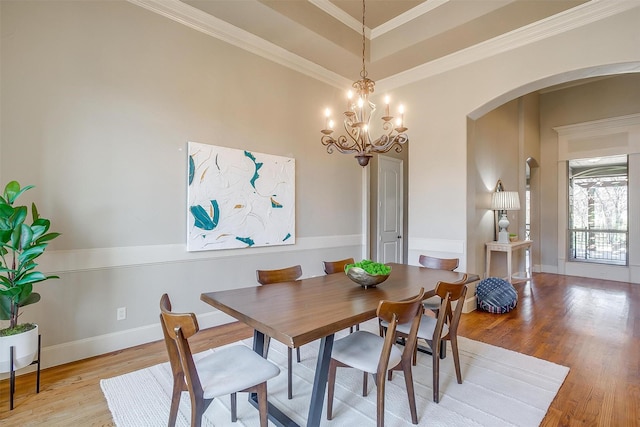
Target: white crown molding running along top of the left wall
pixel 217 28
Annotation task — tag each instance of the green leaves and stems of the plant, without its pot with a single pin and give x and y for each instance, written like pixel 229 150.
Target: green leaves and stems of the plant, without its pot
pixel 20 245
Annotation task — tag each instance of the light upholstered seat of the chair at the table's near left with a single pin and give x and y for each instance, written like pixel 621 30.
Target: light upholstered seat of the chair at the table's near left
pixel 232 369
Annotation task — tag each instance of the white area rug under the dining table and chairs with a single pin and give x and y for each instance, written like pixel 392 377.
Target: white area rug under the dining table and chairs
pixel 500 388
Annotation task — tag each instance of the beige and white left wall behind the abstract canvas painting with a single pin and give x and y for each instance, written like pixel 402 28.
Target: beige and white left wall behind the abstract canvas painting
pixel 98 102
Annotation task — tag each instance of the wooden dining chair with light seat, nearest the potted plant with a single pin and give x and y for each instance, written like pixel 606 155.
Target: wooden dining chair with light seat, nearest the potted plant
pixel 226 371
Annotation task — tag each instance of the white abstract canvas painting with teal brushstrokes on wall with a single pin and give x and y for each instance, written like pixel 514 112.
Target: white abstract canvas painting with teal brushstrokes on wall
pixel 239 199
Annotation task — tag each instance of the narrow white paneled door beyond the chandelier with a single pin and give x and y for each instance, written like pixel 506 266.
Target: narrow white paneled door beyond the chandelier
pixel 389 210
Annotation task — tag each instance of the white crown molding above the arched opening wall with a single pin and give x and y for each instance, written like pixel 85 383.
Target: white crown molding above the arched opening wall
pixel 579 16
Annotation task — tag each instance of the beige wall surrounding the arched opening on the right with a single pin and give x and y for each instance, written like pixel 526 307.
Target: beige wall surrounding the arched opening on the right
pixel 441 103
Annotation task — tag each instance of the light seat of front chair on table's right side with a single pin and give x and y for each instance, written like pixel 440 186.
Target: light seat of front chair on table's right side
pixel 361 350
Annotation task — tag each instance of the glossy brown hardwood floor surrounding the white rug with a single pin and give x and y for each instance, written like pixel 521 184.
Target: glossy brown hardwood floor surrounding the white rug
pixel 592 326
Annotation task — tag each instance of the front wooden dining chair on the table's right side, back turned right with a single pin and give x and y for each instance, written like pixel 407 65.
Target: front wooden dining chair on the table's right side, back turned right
pixel 376 355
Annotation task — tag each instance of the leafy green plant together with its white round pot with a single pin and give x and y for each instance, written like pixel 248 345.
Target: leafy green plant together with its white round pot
pixel 20 245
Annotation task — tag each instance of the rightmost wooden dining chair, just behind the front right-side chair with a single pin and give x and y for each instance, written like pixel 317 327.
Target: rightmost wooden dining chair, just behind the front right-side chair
pixel 436 330
